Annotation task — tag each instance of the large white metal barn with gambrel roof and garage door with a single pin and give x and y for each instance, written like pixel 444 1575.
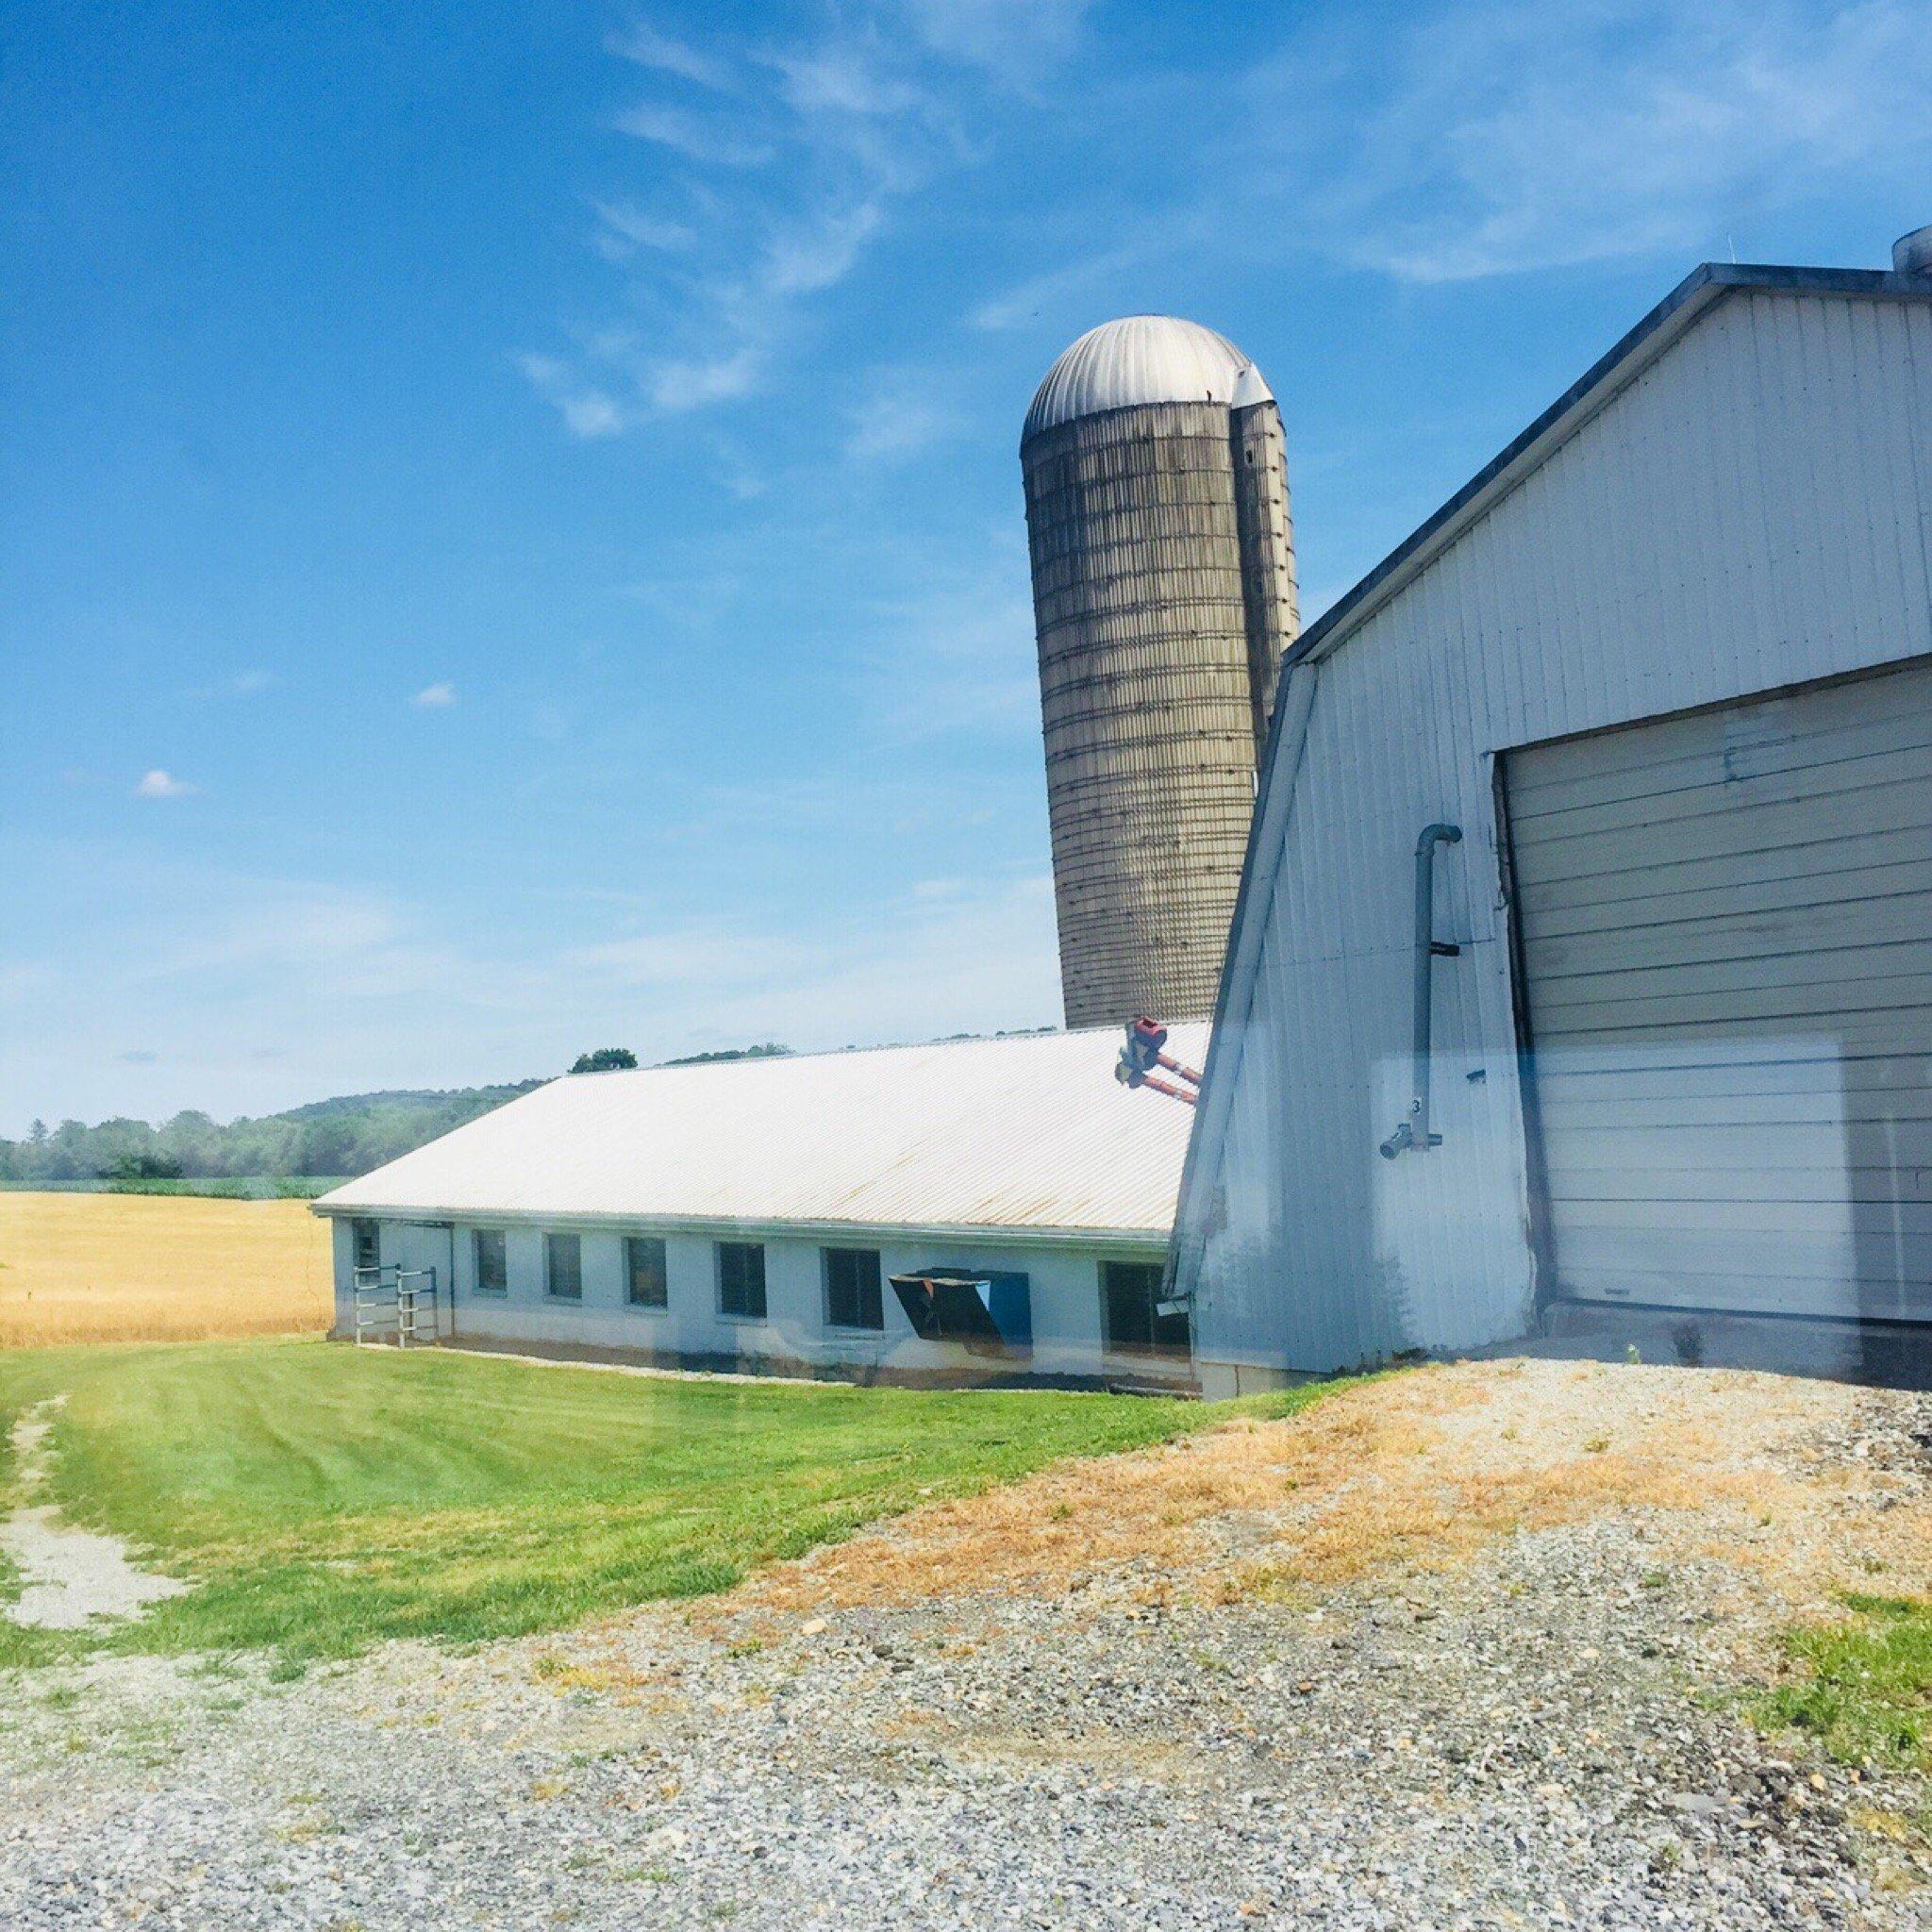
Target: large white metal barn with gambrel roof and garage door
pixel 1597 839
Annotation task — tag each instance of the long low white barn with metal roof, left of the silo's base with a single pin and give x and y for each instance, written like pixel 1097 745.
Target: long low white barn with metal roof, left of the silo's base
pixel 977 1210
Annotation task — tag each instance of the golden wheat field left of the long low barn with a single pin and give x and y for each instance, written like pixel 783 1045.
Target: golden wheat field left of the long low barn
pixel 157 1268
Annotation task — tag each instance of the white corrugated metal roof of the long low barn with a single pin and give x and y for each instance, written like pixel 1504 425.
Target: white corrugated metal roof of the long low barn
pixel 979 1135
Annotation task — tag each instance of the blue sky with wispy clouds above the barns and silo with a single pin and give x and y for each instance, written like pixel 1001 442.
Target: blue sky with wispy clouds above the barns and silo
pixel 513 526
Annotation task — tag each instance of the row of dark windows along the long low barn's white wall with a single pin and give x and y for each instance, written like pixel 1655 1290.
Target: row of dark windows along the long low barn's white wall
pixel 853 1284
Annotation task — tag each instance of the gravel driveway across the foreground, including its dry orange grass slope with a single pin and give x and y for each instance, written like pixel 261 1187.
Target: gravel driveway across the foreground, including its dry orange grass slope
pixel 1446 1651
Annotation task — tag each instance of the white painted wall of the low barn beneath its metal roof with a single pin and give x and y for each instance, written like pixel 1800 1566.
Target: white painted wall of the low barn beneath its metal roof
pixel 1065 1295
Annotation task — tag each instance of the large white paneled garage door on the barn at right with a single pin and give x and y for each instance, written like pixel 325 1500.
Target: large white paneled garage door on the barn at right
pixel 1728 953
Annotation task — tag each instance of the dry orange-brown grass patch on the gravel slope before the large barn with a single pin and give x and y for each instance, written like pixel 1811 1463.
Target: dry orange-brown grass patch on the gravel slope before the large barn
pixel 1415 1473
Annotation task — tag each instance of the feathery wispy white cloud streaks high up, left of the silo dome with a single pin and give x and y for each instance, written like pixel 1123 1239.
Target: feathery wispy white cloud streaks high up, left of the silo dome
pixel 797 157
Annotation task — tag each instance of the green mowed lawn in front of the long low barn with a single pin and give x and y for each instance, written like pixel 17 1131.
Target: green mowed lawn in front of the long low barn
pixel 324 1498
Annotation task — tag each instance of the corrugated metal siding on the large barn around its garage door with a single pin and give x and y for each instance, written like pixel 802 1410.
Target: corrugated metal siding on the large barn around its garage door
pixel 1749 513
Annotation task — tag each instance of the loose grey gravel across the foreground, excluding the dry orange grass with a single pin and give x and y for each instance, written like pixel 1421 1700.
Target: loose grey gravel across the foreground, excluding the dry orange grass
pixel 1523 1738
